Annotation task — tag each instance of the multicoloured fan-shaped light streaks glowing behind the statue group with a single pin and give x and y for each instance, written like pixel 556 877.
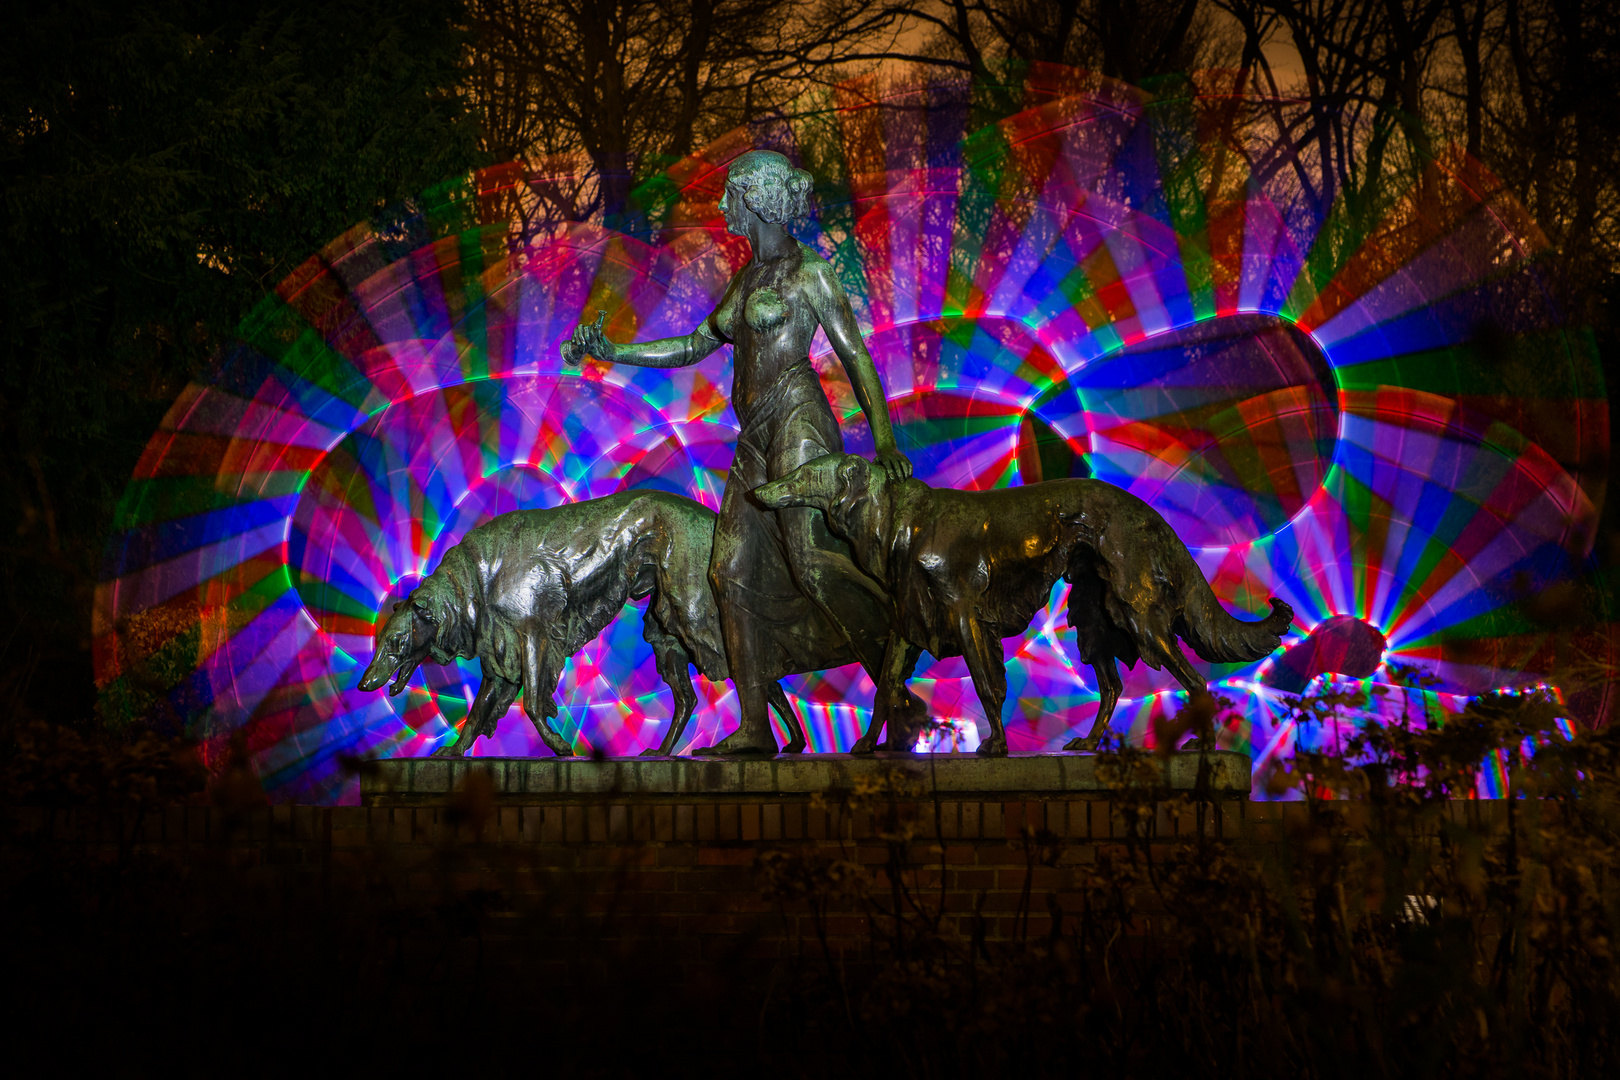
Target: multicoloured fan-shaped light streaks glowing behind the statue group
pixel 1102 284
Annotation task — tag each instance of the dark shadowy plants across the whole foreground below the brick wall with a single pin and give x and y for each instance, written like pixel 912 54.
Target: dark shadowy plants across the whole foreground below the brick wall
pixel 1386 930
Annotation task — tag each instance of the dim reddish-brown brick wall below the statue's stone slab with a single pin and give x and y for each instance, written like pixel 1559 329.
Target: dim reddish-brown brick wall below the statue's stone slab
pixel 681 875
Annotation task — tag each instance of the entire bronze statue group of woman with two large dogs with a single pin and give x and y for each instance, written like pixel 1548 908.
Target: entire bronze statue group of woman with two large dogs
pixel 817 558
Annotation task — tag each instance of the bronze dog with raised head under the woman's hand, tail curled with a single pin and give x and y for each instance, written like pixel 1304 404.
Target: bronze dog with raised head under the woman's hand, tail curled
pixel 970 568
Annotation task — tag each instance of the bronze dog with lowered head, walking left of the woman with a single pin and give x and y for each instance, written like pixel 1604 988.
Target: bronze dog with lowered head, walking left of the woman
pixel 531 589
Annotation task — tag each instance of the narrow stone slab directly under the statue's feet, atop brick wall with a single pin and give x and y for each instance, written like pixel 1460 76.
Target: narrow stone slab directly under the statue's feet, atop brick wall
pixel 788 778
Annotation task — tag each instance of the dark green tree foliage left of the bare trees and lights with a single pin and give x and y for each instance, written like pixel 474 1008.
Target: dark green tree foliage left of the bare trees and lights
pixel 163 166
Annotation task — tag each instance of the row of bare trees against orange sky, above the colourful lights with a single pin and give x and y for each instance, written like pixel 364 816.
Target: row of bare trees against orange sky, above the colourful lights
pixel 599 95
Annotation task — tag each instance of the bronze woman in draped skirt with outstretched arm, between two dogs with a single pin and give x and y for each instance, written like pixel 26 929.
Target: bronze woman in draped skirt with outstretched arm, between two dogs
pixel 791 598
